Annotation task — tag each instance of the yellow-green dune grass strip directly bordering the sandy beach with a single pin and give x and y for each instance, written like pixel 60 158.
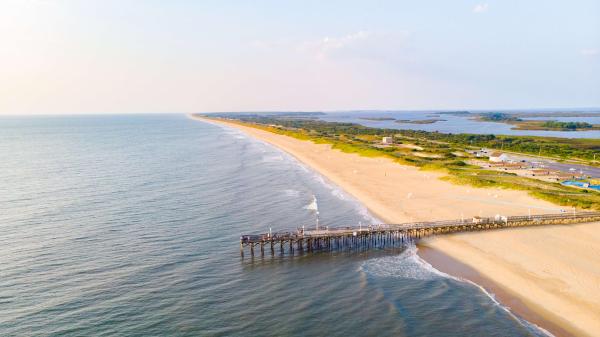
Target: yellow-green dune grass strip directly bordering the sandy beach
pixel 456 170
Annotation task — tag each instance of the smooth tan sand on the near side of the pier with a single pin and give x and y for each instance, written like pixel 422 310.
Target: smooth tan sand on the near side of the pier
pixel 555 270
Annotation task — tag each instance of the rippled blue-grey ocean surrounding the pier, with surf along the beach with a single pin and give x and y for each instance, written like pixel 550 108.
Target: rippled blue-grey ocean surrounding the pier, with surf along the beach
pixel 129 226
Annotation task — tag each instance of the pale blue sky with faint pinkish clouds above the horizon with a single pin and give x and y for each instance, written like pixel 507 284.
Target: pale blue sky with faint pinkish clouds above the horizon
pixel 126 56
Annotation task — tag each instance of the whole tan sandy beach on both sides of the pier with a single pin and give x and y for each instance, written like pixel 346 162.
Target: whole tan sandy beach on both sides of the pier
pixel 553 271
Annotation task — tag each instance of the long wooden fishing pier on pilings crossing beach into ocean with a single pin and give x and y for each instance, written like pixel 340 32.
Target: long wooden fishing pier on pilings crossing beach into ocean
pixel 394 235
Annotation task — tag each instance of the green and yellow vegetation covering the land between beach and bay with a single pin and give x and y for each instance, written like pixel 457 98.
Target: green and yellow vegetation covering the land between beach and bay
pixel 437 151
